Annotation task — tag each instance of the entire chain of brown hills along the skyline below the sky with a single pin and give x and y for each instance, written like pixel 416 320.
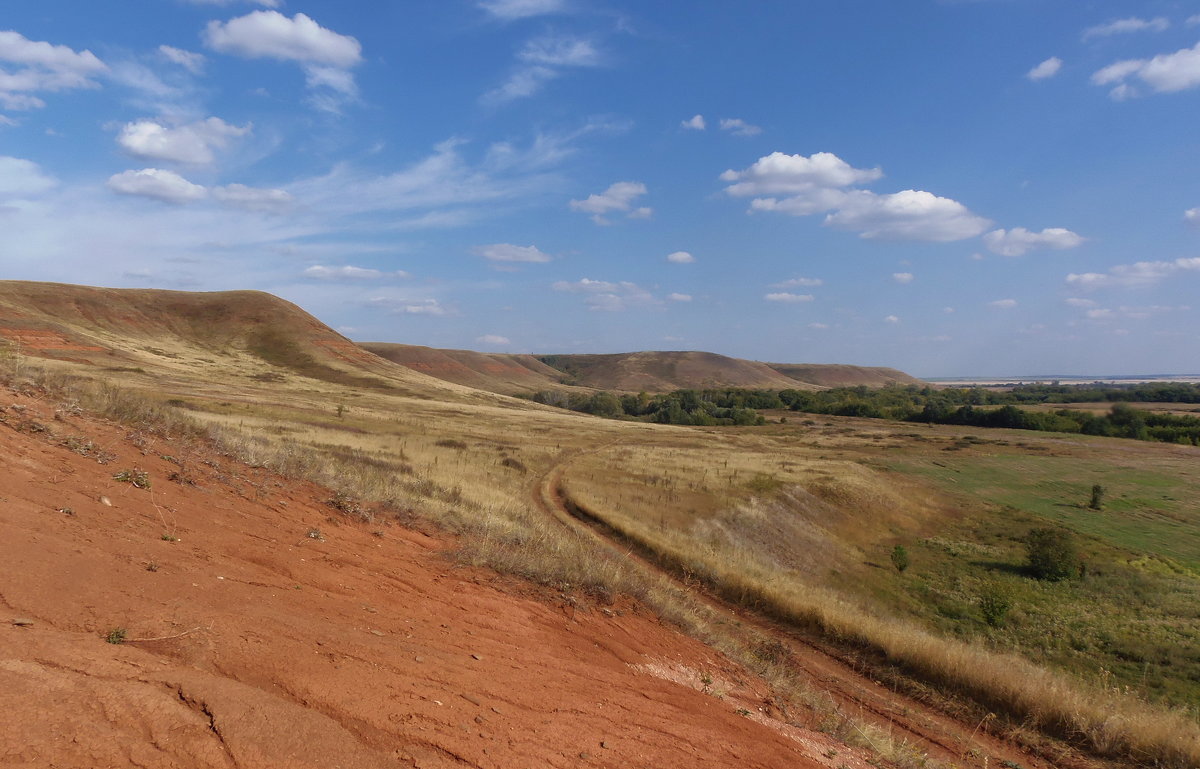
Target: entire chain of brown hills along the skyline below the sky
pixel 260 335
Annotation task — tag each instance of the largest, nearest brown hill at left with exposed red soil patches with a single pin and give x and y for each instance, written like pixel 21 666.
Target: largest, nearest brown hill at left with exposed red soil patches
pixel 161 331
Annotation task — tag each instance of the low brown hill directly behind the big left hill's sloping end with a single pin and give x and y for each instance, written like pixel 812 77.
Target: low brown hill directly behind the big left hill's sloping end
pixel 485 371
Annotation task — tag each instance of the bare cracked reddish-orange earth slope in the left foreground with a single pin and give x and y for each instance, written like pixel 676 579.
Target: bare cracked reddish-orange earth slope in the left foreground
pixel 250 644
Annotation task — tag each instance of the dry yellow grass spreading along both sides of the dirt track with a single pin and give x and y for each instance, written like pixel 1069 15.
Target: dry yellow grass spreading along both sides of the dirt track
pixel 469 461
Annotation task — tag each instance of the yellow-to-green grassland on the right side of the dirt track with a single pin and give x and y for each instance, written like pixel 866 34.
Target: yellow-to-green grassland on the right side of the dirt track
pixel 761 554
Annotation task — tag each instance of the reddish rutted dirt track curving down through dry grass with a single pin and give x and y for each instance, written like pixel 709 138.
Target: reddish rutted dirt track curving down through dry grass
pixel 928 730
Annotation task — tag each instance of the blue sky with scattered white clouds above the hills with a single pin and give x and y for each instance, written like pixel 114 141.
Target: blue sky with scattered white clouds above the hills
pixel 952 188
